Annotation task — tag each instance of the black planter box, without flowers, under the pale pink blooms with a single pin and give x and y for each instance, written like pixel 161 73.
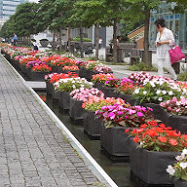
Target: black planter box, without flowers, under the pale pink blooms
pixel 76 111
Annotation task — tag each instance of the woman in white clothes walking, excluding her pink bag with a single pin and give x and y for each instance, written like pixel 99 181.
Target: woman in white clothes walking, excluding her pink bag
pixel 164 40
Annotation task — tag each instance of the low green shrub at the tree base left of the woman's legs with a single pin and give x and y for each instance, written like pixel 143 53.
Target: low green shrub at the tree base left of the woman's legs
pixel 142 67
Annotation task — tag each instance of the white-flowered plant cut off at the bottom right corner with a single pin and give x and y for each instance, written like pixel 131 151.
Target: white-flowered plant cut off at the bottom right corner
pixel 179 170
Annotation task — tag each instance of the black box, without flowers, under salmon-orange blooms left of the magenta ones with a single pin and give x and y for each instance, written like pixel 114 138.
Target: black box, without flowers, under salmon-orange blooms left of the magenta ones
pixel 92 125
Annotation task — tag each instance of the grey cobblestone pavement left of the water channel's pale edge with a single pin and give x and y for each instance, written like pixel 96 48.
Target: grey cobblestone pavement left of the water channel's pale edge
pixel 33 152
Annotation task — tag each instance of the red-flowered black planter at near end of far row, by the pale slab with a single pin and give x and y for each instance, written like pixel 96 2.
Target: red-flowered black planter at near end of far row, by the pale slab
pixel 39 72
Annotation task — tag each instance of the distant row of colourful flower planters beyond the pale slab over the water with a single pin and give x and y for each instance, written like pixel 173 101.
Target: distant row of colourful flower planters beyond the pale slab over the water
pixel 28 61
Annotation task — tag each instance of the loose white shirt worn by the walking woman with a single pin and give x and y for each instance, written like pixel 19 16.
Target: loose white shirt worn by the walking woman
pixel 162 51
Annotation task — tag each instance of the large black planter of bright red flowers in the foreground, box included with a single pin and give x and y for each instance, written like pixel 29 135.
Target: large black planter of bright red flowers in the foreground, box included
pixel 154 148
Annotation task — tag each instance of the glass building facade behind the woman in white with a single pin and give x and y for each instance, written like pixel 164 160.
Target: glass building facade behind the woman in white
pixel 175 22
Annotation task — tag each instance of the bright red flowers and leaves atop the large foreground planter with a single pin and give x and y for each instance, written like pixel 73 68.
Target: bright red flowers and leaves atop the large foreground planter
pixel 154 137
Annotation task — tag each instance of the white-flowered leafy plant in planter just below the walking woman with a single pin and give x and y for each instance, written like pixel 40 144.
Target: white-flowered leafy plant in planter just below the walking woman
pixel 155 91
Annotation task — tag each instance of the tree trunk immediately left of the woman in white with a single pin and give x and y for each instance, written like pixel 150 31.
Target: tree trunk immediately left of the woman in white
pixel 147 59
